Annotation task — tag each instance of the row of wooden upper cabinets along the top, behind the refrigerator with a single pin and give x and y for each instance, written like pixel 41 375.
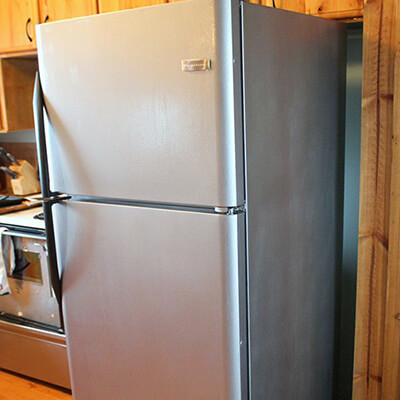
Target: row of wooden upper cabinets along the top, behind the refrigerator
pixel 19 17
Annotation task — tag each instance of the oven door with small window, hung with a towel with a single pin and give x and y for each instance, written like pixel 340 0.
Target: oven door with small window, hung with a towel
pixel 32 298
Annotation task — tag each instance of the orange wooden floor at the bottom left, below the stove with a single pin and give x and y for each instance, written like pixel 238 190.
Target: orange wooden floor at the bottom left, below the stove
pixel 17 387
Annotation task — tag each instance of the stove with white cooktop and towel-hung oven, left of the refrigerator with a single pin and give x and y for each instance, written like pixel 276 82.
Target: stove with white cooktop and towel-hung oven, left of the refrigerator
pixel 32 344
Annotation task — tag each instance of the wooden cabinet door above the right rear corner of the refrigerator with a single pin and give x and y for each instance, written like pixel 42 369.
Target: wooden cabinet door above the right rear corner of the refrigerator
pixel 335 8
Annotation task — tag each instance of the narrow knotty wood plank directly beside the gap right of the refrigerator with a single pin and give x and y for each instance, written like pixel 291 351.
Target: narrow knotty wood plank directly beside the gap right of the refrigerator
pixel 368 178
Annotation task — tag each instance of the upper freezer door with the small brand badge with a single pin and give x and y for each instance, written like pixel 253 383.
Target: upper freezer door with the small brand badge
pixel 130 117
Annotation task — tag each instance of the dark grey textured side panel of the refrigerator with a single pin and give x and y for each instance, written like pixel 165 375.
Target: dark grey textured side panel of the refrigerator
pixel 294 75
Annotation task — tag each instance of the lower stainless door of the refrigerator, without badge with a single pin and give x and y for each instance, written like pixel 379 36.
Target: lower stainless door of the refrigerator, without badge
pixel 151 302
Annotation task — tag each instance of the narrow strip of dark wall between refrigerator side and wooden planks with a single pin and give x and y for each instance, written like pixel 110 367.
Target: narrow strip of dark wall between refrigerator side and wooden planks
pixel 351 203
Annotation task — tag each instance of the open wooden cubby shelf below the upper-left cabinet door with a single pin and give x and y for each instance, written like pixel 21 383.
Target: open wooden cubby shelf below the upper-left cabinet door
pixel 17 77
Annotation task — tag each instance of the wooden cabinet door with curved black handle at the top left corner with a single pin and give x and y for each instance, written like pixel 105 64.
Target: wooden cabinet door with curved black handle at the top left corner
pixel 17 24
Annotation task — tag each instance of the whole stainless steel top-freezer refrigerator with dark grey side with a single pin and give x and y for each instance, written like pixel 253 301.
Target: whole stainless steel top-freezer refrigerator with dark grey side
pixel 190 165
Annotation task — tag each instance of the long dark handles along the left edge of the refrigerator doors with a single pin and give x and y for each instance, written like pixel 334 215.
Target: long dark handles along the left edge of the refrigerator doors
pixel 38 114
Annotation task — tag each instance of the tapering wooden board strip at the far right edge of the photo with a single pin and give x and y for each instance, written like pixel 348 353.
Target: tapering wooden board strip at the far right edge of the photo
pixel 391 351
